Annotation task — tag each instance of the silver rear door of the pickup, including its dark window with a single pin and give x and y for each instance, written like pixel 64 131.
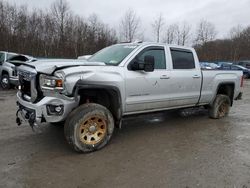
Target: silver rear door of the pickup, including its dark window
pixel 185 78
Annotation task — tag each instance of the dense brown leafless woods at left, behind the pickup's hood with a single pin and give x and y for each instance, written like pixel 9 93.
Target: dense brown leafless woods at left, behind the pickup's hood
pixel 56 32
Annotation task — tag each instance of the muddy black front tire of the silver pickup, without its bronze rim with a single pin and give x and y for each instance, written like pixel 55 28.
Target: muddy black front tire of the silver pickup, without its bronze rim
pixel 74 123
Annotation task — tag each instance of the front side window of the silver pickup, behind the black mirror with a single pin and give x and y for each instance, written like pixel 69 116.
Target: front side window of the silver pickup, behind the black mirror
pixel 159 56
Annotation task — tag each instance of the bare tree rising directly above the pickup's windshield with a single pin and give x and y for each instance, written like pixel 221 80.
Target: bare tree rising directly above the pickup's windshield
pixel 129 25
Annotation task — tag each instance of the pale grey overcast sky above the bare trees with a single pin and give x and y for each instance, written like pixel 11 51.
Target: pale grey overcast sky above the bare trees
pixel 224 14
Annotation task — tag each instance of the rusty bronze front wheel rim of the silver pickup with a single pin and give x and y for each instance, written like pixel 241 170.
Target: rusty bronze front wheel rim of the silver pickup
pixel 93 130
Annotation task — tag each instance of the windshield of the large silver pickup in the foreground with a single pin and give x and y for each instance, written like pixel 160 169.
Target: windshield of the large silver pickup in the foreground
pixel 113 55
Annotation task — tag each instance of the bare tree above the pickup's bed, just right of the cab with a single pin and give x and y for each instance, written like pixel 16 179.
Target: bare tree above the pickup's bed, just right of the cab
pixel 205 32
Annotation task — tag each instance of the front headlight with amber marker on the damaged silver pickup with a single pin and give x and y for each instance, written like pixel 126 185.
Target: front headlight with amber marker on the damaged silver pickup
pixel 51 82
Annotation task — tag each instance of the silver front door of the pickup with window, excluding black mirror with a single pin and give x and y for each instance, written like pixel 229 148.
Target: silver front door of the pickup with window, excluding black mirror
pixel 146 91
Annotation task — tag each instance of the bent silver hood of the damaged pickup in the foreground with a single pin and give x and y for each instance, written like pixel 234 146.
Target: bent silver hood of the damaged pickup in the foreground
pixel 49 66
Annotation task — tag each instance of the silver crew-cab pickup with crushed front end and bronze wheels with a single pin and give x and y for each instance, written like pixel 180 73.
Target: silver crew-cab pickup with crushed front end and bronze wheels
pixel 93 96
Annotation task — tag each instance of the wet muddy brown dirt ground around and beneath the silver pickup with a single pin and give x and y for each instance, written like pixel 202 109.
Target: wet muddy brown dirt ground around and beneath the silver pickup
pixel 160 150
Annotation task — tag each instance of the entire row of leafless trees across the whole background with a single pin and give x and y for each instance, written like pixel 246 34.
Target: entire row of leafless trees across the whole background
pixel 58 32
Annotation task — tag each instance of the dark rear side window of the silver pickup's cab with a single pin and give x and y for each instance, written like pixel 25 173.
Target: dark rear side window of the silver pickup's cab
pixel 182 59
